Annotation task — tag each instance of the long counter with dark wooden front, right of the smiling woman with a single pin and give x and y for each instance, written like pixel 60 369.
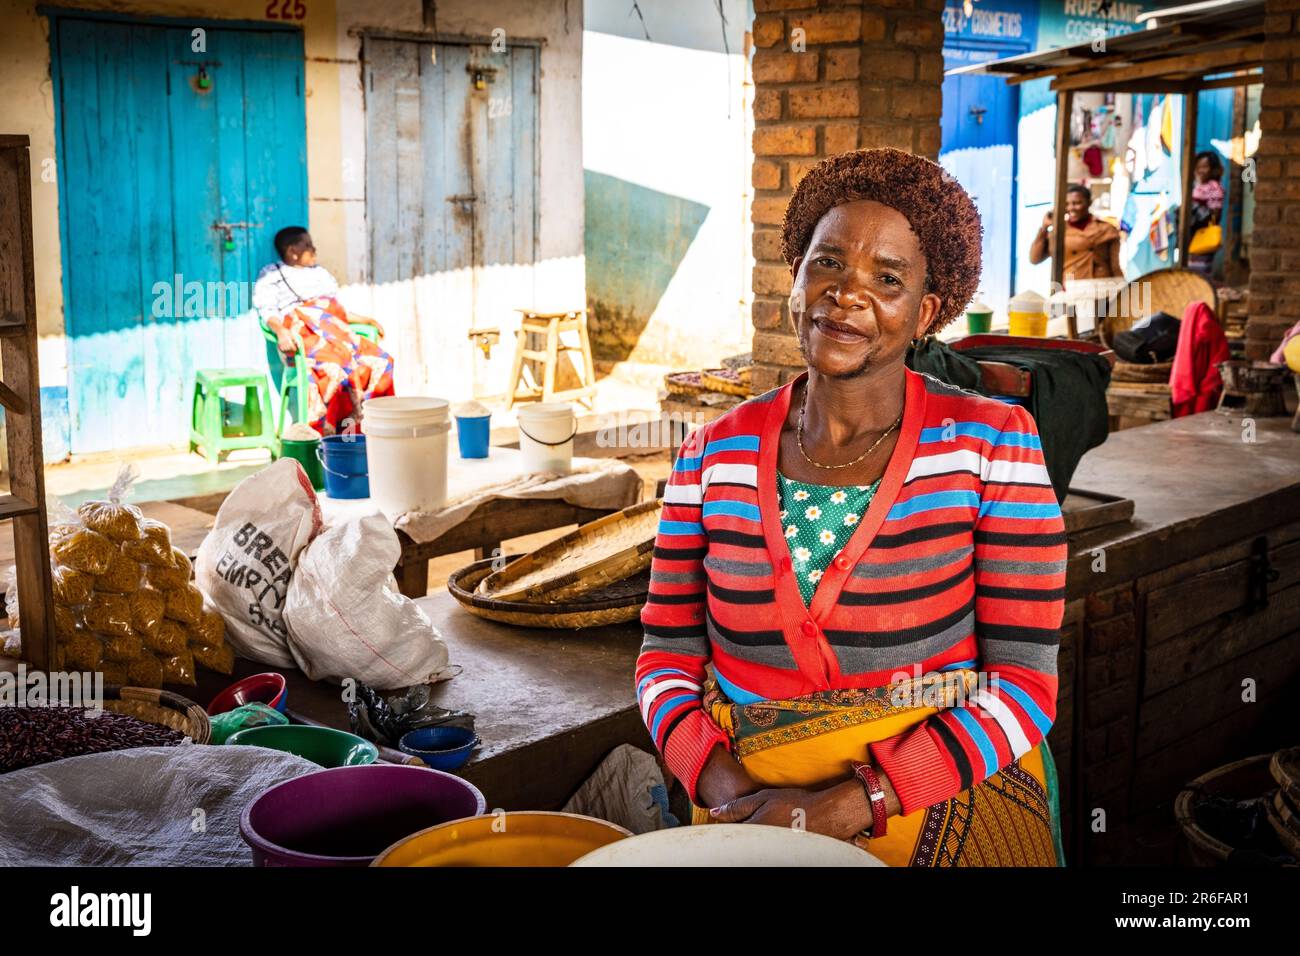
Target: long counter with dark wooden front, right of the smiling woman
pixel 1180 650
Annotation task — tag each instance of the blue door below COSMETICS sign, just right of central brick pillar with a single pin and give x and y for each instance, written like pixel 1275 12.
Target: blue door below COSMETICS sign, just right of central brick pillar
pixel 980 135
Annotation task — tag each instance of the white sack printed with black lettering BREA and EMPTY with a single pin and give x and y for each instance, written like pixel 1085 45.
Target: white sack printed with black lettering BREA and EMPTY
pixel 248 561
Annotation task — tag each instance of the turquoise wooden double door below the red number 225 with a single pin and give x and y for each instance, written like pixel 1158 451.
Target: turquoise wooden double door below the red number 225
pixel 161 148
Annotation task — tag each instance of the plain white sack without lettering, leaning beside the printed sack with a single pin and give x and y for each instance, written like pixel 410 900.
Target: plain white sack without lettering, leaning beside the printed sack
pixel 348 618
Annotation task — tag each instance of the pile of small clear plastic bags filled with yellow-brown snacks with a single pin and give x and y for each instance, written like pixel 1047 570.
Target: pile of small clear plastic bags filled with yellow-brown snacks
pixel 124 602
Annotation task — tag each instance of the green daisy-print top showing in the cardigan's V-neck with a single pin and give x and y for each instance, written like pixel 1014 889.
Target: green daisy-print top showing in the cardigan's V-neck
pixel 818 521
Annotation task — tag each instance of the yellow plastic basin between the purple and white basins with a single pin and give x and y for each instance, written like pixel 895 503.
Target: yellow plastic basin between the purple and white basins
pixel 525 838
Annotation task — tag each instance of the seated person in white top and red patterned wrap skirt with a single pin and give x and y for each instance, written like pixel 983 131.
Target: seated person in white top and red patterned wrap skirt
pixel 298 300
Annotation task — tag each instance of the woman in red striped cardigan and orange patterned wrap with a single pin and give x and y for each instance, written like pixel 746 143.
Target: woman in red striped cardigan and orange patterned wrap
pixel 859 579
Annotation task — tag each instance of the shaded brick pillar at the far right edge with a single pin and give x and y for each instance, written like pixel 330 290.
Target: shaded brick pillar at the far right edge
pixel 1276 243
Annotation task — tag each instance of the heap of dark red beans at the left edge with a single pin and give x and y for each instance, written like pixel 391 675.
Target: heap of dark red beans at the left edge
pixel 40 736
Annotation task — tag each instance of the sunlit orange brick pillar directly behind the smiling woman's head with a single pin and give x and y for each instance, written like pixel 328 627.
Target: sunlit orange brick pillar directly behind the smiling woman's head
pixel 860 75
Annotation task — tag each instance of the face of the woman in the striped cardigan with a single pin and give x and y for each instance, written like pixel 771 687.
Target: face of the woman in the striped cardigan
pixel 863 288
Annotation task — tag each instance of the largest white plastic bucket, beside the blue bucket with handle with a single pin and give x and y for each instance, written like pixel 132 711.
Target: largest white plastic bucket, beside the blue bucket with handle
pixel 406 442
